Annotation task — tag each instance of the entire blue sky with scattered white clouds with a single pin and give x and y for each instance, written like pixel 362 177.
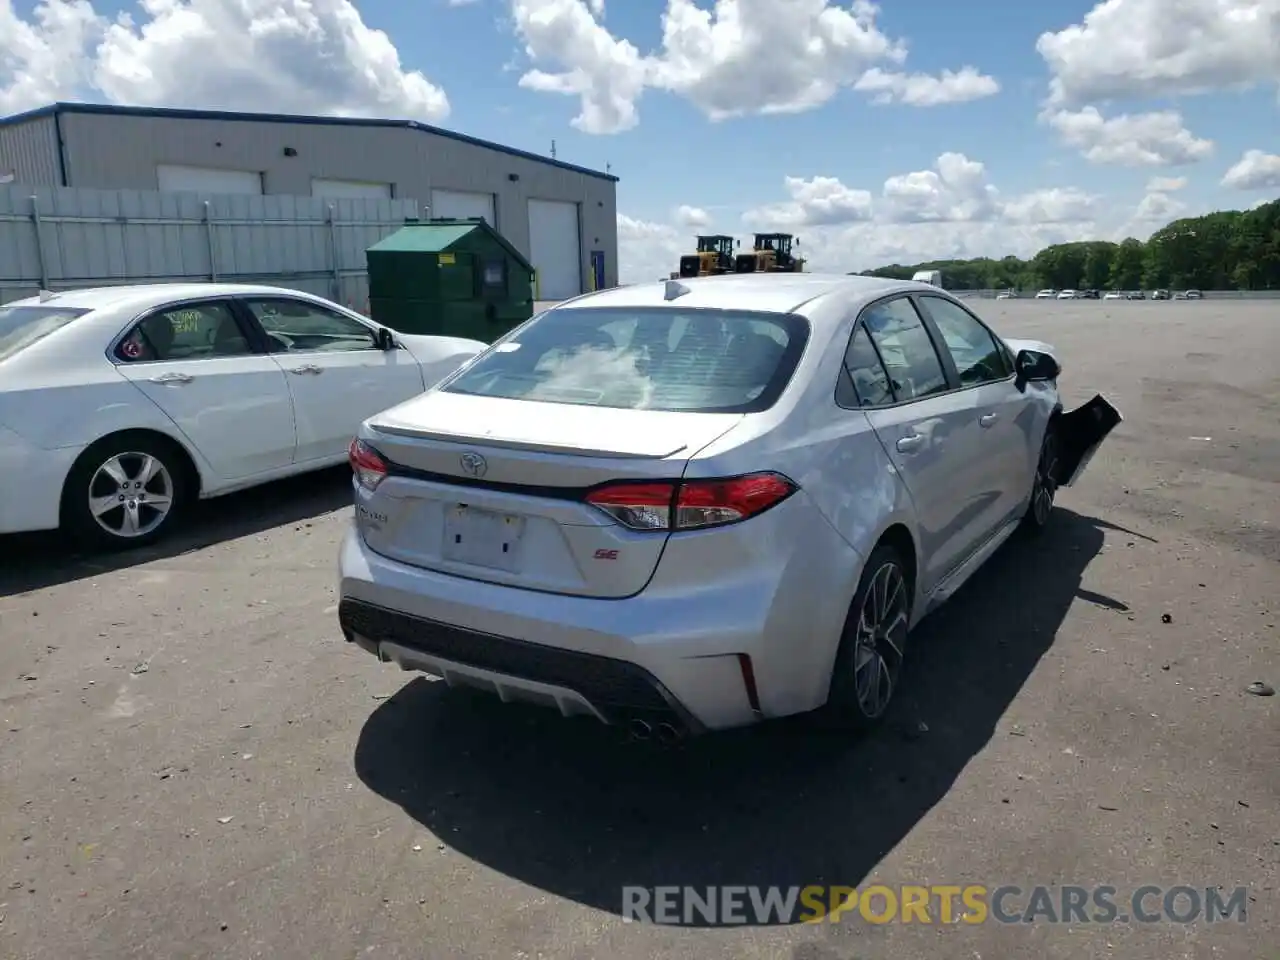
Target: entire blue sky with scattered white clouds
pixel 1076 121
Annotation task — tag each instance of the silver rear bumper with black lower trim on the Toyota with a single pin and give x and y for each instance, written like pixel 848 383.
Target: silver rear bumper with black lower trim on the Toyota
pixel 694 660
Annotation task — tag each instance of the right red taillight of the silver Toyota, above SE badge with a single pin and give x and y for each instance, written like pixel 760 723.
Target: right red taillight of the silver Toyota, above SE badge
pixel 691 505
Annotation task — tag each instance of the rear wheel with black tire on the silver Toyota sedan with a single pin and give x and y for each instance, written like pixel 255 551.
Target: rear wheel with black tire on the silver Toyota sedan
pixel 848 705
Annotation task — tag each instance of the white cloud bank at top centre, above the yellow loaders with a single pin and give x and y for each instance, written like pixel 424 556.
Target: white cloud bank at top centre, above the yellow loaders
pixel 742 57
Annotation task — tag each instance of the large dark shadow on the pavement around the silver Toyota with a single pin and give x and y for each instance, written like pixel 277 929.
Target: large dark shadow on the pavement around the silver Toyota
pixel 566 807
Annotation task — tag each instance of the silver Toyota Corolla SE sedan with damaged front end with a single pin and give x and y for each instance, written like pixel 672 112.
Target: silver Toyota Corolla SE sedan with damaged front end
pixel 697 505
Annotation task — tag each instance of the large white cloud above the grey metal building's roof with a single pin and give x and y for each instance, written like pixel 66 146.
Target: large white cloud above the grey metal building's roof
pixel 291 56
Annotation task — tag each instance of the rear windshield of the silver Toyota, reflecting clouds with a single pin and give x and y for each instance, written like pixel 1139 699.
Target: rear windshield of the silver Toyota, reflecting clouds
pixel 706 362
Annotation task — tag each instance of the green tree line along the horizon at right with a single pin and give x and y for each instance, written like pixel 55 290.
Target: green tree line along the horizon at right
pixel 1226 250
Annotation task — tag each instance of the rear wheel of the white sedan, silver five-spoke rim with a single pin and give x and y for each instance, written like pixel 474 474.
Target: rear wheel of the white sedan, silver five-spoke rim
pixel 168 477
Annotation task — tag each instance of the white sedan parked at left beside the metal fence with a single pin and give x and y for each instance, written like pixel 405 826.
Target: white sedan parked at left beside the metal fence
pixel 121 405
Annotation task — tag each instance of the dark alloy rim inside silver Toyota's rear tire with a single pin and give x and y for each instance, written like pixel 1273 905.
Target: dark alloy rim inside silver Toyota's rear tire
pixel 880 641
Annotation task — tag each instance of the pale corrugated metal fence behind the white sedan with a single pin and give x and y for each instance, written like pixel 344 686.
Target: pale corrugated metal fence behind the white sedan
pixel 62 239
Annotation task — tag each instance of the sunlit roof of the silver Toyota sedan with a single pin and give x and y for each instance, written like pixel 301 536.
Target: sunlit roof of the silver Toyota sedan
pixel 772 294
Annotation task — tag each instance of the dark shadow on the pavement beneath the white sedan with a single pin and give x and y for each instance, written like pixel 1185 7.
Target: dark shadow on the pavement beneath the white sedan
pixel 36 561
